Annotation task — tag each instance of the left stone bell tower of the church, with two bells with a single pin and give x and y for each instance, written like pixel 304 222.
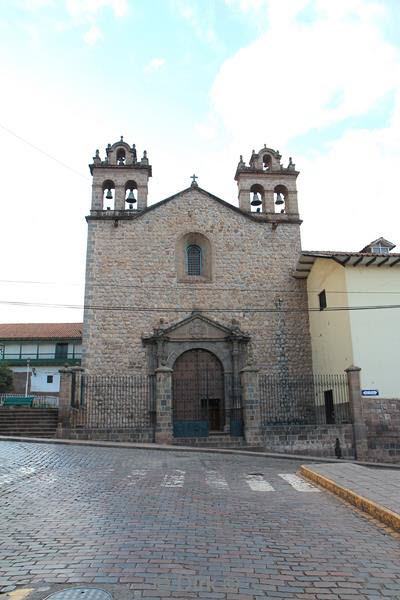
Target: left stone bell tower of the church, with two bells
pixel 120 181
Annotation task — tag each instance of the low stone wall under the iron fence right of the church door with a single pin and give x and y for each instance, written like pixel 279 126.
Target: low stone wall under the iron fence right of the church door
pixel 310 440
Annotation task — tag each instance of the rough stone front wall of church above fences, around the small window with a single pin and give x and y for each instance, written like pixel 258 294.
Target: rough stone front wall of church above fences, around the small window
pixel 135 265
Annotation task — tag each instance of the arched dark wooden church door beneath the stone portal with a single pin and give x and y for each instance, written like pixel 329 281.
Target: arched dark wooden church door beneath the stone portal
pixel 198 394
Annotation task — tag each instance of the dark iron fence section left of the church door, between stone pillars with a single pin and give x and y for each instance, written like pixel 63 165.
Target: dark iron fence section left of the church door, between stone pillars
pixel 113 402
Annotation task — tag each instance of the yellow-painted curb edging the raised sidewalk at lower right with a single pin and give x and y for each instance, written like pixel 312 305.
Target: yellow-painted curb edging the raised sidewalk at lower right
pixel 377 511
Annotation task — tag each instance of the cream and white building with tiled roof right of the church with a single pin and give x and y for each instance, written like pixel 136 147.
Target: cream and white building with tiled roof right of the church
pixel 354 319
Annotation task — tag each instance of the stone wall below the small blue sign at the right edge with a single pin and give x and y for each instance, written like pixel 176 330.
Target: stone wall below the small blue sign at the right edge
pixel 382 418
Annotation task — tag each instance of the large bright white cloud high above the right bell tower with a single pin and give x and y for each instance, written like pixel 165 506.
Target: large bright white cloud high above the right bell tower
pixel 284 82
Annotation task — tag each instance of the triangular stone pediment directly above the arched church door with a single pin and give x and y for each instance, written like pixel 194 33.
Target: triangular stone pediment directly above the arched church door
pixel 198 327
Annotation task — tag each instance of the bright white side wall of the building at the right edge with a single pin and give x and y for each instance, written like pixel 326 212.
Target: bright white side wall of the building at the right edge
pixel 376 333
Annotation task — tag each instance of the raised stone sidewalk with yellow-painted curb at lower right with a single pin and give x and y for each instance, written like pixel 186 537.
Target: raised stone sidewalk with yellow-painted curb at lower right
pixel 375 491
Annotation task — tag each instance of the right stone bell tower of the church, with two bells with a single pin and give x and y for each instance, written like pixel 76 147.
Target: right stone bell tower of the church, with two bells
pixel 266 188
